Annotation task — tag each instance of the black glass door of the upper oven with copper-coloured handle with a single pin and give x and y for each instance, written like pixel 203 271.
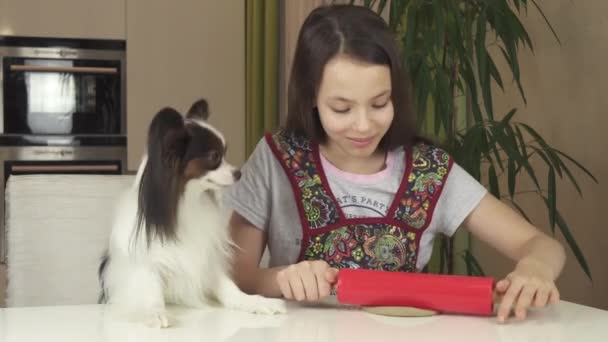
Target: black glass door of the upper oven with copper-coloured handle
pixel 59 96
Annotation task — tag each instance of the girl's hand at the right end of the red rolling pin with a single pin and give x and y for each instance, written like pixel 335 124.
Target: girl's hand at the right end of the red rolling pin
pixel 529 285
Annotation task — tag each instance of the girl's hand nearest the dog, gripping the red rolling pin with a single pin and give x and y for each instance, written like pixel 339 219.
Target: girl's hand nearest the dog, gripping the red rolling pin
pixel 307 280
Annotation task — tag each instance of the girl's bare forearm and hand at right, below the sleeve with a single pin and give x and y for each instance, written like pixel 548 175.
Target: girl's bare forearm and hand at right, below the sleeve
pixel 539 257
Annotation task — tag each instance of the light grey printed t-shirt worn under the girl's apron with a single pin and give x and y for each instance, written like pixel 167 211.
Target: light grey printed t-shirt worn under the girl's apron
pixel 264 197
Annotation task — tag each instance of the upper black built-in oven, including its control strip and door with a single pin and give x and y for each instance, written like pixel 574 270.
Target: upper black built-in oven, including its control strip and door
pixel 62 86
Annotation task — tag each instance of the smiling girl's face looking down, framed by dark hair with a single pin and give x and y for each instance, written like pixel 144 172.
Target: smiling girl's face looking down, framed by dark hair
pixel 355 107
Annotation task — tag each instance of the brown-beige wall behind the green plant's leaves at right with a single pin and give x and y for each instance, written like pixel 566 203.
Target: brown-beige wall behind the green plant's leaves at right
pixel 565 87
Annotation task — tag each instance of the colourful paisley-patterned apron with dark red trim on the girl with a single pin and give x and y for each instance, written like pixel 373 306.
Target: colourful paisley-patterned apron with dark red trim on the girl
pixel 388 243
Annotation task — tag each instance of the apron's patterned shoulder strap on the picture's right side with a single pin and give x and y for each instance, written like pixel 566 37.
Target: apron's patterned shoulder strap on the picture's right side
pixel 429 169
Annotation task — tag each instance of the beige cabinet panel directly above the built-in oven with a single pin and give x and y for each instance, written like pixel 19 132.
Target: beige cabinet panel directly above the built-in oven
pixel 63 18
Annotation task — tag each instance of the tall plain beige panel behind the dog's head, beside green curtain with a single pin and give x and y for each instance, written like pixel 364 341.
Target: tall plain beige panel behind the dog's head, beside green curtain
pixel 177 53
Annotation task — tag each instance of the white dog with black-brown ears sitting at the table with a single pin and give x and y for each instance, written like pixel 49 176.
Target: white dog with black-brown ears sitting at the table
pixel 170 241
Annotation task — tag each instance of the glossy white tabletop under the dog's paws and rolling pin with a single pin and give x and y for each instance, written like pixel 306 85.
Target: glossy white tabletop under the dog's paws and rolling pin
pixel 565 322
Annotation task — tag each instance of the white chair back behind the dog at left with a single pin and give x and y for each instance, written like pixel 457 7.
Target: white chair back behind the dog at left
pixel 57 230
